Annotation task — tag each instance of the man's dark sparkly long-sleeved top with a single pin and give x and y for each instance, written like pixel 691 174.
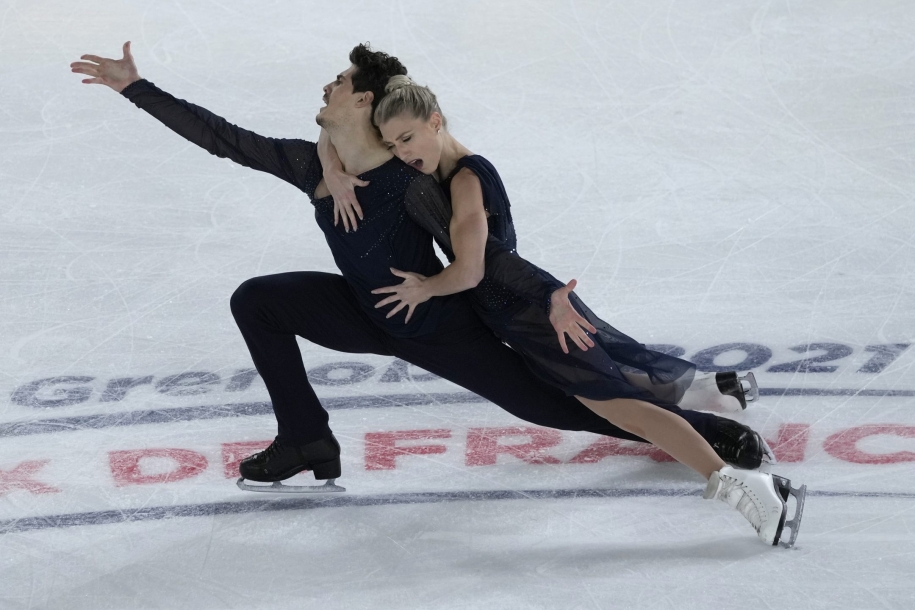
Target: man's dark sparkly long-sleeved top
pixel 387 237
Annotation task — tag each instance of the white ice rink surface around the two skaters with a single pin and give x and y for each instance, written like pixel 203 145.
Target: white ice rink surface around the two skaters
pixel 732 180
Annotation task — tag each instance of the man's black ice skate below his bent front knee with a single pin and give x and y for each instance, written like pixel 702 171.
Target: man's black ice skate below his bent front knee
pixel 280 461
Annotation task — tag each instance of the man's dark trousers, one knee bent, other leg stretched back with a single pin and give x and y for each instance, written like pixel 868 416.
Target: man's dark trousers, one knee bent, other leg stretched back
pixel 320 307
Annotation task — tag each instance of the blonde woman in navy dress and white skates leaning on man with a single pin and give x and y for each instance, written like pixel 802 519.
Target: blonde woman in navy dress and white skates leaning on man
pixel 530 310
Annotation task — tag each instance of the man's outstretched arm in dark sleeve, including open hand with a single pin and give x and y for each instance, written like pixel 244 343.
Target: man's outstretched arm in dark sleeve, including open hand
pixel 286 159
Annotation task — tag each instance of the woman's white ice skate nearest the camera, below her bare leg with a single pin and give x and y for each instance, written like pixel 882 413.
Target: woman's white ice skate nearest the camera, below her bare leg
pixel 761 498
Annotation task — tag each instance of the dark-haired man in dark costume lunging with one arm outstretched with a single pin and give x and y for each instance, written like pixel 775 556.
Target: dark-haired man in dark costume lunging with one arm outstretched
pixel 443 335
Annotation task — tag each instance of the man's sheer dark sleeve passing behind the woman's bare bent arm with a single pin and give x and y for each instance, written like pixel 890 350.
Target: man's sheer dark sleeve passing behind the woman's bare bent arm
pixel 428 207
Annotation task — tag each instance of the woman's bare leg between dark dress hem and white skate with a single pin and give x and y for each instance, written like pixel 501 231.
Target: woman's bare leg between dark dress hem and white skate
pixel 661 428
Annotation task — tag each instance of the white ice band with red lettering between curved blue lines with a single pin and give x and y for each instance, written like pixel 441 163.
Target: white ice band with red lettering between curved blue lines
pixel 123 477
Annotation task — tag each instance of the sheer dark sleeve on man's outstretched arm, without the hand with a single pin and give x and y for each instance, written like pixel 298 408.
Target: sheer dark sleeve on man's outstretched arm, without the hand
pixel 291 160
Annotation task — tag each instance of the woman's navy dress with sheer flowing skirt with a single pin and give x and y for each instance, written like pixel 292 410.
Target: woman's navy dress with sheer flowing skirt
pixel 513 300
